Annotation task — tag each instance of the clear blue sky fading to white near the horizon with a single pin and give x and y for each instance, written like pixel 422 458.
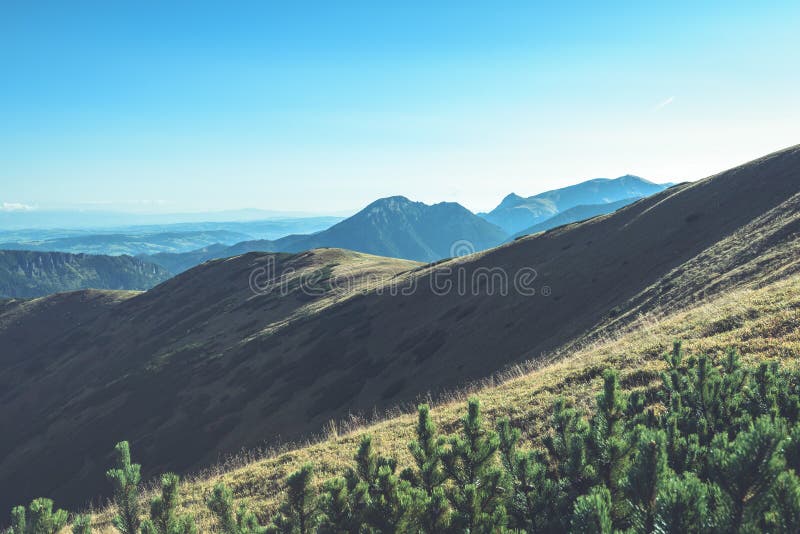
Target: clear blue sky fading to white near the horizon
pixel 322 107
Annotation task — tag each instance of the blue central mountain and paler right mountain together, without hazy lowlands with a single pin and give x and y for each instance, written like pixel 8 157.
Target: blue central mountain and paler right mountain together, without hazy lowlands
pixel 401 228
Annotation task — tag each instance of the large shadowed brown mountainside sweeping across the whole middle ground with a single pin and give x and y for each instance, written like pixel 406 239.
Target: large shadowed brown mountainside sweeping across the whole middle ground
pixel 265 348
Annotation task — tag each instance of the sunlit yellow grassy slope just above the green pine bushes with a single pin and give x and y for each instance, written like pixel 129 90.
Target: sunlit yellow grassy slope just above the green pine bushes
pixel 761 323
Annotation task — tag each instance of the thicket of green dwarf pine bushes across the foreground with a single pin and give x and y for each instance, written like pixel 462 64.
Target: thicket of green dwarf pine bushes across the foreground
pixel 714 448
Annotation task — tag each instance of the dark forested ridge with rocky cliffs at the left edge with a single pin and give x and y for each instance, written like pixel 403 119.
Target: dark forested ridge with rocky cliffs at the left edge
pixel 25 274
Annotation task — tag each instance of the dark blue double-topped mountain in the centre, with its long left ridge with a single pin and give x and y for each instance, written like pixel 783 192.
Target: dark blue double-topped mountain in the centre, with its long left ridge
pixel 393 226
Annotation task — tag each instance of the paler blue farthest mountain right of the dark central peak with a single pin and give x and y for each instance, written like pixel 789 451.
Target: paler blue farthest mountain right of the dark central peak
pixel 515 213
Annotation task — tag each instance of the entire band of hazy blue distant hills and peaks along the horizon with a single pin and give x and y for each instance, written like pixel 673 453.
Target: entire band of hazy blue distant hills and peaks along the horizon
pixel 393 226
